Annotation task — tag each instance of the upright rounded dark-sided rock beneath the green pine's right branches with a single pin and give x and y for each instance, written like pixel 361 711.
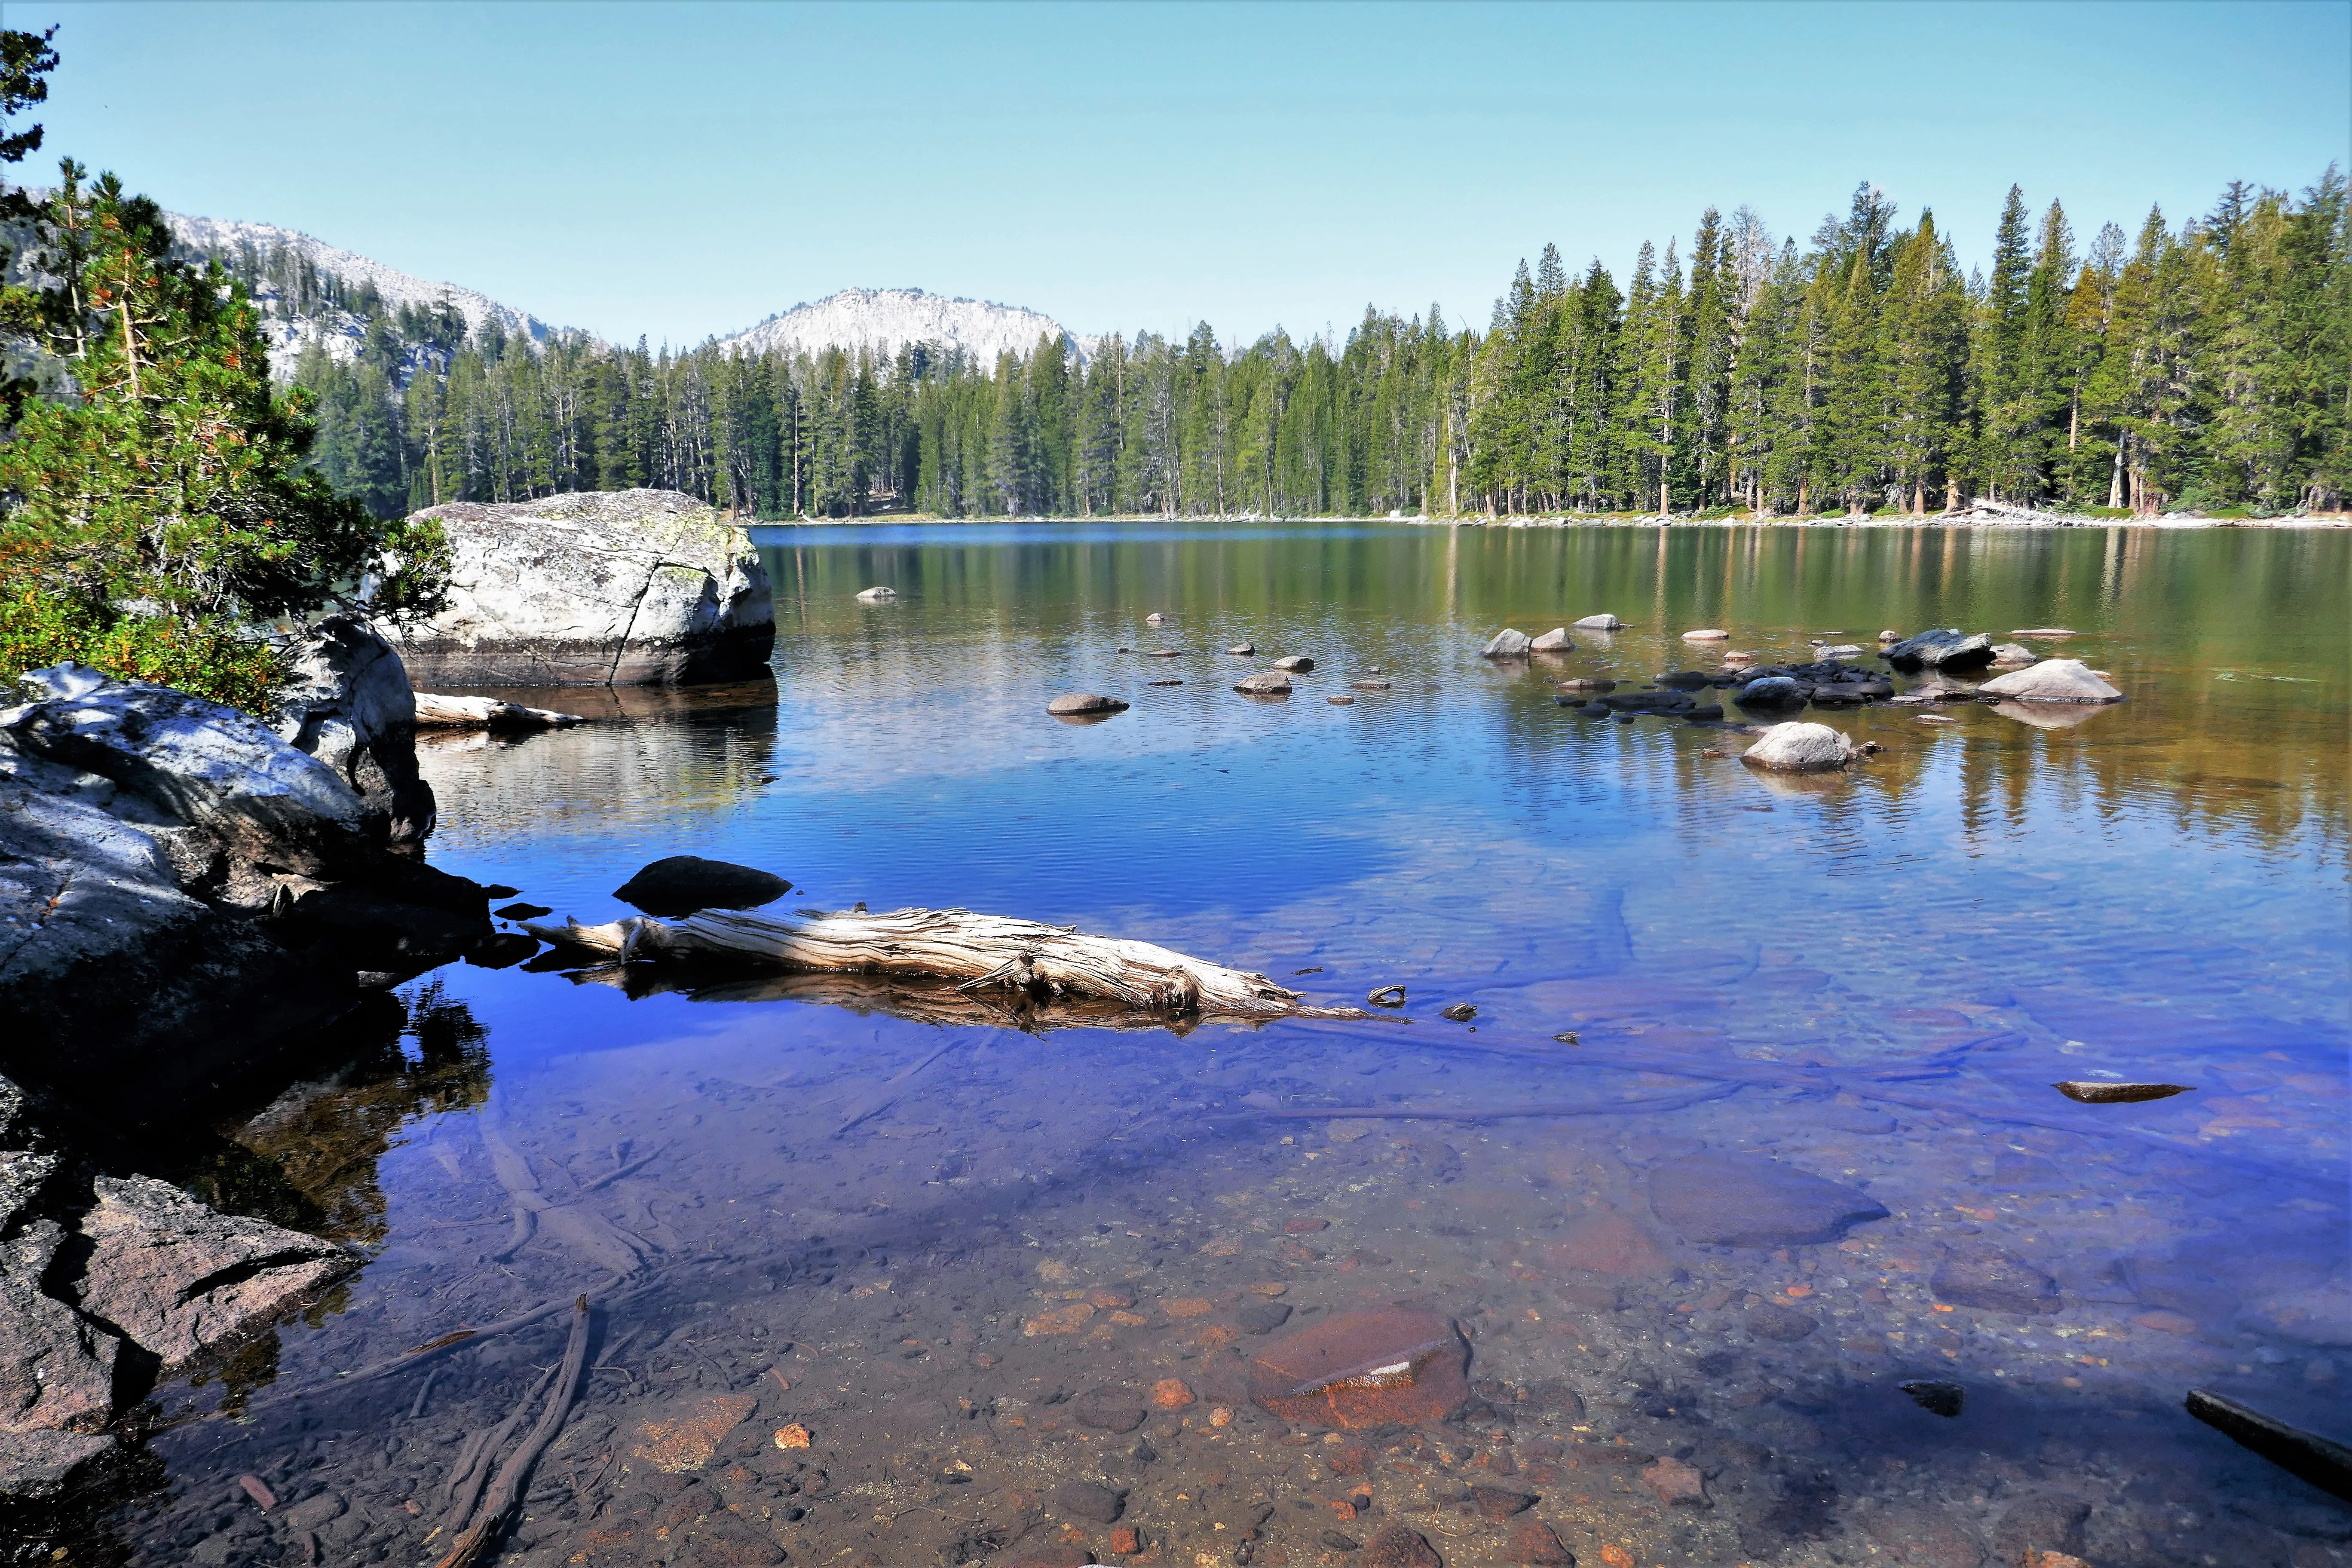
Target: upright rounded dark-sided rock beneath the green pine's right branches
pixel 352 709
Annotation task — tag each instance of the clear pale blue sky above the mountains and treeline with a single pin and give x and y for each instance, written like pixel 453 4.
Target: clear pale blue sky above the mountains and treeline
pixel 681 170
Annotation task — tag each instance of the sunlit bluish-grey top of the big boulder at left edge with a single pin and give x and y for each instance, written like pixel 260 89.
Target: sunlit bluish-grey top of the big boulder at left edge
pixel 196 765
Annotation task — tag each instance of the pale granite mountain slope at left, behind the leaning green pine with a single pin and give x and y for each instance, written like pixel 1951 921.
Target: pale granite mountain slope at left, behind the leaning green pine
pixel 290 323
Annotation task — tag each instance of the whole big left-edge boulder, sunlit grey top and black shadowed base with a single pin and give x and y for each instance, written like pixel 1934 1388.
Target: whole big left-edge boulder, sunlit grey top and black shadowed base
pixel 185 890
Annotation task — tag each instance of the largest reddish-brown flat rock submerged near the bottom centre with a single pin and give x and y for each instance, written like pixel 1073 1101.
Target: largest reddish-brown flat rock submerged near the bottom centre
pixel 1365 1369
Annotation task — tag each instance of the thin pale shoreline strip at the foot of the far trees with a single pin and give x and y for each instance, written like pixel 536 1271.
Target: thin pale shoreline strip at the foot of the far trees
pixel 1610 521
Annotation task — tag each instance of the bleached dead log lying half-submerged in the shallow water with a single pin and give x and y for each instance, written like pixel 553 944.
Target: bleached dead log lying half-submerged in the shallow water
pixel 975 951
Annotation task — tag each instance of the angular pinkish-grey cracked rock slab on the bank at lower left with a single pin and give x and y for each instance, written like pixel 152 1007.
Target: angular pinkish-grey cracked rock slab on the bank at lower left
pixel 180 1278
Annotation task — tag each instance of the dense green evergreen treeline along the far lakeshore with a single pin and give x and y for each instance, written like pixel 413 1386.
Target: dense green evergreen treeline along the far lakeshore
pixel 2196 368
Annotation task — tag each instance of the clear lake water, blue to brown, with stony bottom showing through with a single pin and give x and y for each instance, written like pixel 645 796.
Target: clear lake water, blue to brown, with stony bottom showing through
pixel 1869 979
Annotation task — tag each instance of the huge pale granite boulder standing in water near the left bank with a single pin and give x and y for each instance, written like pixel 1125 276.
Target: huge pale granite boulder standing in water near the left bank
pixel 601 589
